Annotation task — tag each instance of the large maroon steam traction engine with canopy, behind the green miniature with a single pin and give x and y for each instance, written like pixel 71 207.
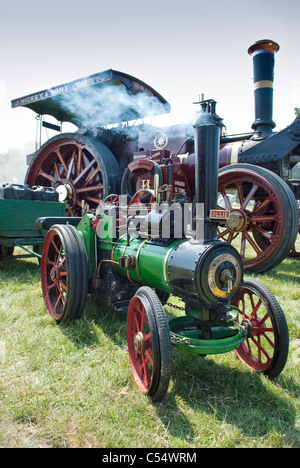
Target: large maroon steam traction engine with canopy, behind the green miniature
pixel 256 181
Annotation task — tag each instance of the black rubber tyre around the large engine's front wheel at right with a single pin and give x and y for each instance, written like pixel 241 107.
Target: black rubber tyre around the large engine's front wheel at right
pixel 290 216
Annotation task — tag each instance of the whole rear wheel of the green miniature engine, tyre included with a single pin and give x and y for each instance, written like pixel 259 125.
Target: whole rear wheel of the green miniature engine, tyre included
pixel 64 273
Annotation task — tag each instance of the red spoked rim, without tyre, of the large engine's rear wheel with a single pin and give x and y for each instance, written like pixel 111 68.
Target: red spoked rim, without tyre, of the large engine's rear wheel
pixel 69 162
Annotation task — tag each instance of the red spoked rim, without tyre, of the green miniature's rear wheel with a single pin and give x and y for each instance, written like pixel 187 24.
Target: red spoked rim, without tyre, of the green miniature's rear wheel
pixel 54 274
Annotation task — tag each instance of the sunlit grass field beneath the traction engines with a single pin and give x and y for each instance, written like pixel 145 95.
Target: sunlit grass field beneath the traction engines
pixel 72 386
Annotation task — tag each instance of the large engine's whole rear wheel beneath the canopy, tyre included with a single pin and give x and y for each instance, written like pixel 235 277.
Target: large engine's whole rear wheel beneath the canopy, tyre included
pixel 79 167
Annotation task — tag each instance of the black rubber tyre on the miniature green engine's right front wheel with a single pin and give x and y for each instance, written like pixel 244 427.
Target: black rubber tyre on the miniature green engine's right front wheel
pixel 279 324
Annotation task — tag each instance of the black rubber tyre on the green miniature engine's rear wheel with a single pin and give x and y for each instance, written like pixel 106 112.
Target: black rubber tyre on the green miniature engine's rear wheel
pixel 75 285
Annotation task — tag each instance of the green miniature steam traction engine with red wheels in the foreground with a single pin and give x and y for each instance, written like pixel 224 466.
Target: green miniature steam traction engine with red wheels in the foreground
pixel 134 257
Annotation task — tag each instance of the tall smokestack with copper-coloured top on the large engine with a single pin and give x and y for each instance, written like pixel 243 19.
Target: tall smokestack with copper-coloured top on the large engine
pixel 263 52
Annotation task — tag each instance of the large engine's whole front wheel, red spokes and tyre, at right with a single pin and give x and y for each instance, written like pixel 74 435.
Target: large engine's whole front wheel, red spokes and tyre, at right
pixel 263 222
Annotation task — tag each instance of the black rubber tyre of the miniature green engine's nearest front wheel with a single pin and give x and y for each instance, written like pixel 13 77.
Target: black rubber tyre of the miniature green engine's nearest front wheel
pixel 161 339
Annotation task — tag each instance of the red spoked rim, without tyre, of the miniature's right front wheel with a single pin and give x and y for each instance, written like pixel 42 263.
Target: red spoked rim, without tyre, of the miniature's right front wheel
pixel 257 351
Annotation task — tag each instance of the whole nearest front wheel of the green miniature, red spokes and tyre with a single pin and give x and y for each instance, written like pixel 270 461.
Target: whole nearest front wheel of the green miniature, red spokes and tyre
pixel 149 343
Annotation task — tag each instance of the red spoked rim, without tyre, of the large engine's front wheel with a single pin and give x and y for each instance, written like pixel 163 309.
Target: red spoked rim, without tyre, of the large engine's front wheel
pixel 260 226
